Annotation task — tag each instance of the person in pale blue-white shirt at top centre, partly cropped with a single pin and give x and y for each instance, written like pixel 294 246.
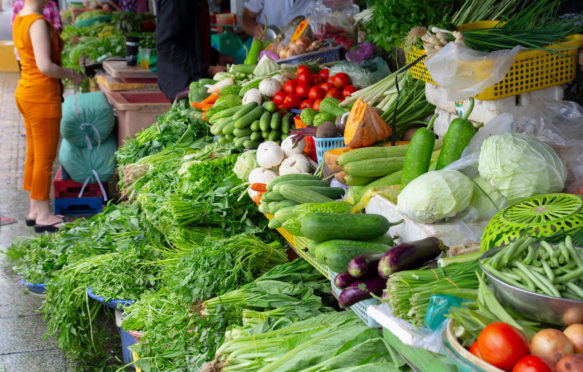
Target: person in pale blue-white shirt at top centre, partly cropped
pixel 278 13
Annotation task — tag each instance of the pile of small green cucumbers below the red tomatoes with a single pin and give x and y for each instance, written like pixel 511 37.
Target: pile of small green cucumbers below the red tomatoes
pixel 250 124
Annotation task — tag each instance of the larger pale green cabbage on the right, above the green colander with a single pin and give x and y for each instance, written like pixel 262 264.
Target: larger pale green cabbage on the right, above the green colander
pixel 519 166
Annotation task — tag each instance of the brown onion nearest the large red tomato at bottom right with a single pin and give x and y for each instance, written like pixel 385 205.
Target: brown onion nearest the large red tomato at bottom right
pixel 551 345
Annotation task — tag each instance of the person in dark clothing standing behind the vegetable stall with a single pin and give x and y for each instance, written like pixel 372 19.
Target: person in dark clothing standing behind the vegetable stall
pixel 183 45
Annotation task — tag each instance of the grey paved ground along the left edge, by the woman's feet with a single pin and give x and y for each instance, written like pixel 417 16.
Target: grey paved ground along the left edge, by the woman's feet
pixel 22 348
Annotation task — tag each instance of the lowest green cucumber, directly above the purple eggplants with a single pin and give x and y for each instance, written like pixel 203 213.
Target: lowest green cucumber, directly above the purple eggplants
pixel 336 254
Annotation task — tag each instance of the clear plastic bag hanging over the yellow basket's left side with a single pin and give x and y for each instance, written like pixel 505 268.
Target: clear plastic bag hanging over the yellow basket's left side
pixel 464 72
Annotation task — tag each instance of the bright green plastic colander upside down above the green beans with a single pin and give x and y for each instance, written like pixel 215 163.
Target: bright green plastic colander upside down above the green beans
pixel 546 215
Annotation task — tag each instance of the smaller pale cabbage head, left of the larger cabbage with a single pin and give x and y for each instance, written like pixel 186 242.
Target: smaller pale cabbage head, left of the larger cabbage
pixel 435 195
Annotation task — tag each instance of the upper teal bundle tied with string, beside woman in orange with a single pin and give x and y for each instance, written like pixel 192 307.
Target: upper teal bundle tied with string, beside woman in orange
pixel 87 119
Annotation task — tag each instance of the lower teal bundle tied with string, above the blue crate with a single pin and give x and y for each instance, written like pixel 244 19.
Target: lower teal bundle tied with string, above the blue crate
pixel 86 165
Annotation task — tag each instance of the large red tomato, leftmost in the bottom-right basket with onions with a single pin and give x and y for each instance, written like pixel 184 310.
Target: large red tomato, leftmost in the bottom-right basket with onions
pixel 502 345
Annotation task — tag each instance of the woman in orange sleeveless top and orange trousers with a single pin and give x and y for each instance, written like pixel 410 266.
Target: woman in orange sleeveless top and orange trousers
pixel 38 97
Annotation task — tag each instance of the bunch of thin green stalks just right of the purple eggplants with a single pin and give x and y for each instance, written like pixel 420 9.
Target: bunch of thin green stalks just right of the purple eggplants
pixel 408 292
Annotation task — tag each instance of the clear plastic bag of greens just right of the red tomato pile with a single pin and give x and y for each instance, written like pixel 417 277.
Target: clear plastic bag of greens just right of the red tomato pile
pixel 365 74
